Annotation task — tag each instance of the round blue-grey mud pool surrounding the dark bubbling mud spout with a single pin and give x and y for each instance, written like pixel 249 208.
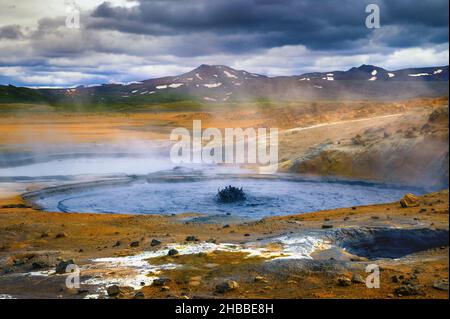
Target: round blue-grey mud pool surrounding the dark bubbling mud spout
pixel 185 191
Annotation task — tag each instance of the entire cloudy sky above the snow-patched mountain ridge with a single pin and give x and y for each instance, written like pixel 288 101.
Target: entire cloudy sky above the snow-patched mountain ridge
pixel 131 40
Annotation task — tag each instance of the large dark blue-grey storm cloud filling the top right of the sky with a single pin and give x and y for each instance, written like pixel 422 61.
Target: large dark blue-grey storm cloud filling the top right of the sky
pixel 325 24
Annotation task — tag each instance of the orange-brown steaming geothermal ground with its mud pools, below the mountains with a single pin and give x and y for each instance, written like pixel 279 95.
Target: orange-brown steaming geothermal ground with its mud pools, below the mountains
pixel 308 255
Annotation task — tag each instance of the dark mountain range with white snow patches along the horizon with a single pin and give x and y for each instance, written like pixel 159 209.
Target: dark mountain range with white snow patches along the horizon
pixel 222 84
